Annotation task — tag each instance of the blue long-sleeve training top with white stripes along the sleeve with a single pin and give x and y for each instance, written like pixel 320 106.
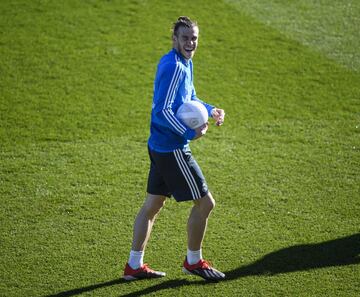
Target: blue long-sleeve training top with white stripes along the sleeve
pixel 173 86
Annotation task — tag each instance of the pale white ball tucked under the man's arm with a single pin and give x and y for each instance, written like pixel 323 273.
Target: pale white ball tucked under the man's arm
pixel 193 114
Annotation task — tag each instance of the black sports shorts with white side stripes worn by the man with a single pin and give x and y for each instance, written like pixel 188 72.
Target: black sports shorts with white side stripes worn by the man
pixel 177 174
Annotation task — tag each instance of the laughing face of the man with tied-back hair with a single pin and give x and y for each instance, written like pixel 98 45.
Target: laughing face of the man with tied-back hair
pixel 185 41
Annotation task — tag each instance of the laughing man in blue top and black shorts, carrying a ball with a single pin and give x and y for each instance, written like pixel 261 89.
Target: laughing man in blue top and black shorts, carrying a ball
pixel 173 171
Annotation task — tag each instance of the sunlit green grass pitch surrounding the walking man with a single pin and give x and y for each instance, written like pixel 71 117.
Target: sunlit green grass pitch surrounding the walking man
pixel 76 81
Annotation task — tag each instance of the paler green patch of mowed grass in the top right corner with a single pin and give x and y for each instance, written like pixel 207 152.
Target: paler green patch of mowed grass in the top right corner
pixel 330 27
